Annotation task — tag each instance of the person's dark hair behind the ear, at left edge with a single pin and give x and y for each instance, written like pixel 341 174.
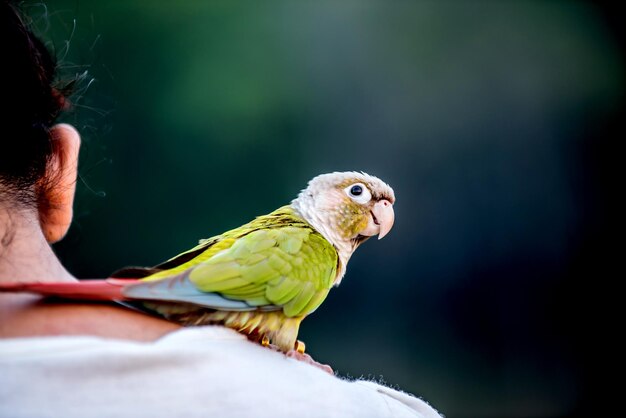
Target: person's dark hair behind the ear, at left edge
pixel 32 105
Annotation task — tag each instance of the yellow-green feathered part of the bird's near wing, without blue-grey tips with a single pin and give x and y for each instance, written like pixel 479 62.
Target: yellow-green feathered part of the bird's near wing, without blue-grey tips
pixel 291 267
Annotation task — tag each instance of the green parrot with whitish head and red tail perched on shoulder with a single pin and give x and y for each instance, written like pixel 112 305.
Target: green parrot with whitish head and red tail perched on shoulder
pixel 262 278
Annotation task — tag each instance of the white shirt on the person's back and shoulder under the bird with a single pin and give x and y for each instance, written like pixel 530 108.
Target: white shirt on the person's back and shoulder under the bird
pixel 194 372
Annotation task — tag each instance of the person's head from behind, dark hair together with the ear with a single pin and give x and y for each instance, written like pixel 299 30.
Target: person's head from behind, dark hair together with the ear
pixel 38 159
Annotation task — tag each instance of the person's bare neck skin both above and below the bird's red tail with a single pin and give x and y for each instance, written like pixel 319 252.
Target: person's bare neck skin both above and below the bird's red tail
pixel 25 256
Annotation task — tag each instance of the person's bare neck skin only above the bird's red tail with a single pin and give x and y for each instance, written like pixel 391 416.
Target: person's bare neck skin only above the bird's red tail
pixel 25 255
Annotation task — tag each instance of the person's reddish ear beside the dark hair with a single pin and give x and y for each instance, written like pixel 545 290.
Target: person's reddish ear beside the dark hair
pixel 56 194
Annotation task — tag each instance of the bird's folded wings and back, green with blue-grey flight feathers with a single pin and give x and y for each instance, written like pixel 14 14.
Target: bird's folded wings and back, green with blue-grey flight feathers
pixel 277 261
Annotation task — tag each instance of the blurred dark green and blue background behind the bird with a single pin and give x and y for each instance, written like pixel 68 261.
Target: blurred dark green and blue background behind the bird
pixel 493 121
